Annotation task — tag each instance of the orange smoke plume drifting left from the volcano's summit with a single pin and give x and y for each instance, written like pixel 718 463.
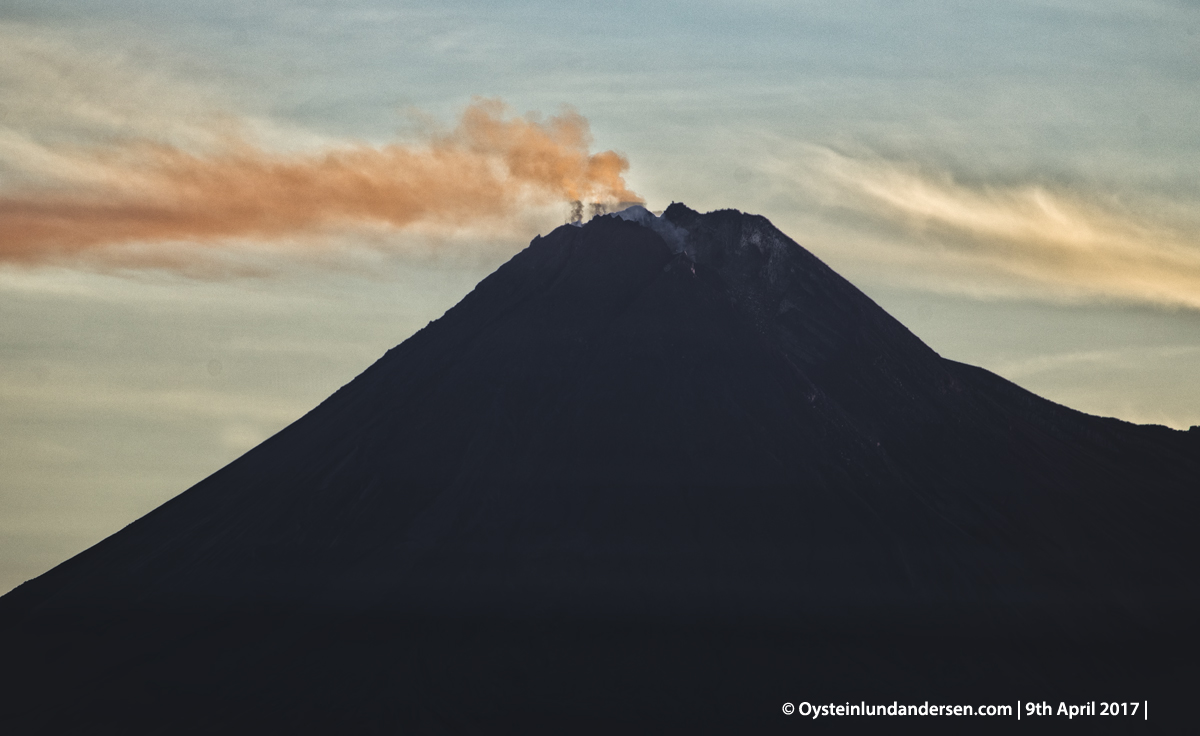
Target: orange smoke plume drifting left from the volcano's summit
pixel 487 169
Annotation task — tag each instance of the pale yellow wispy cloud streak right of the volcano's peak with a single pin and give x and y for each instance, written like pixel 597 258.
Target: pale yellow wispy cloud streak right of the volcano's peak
pixel 1065 241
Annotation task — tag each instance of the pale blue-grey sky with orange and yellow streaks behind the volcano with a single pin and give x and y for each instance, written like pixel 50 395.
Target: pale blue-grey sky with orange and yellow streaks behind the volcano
pixel 214 214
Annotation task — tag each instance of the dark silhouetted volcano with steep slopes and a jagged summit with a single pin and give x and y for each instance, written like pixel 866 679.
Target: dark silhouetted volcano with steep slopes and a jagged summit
pixel 652 474
